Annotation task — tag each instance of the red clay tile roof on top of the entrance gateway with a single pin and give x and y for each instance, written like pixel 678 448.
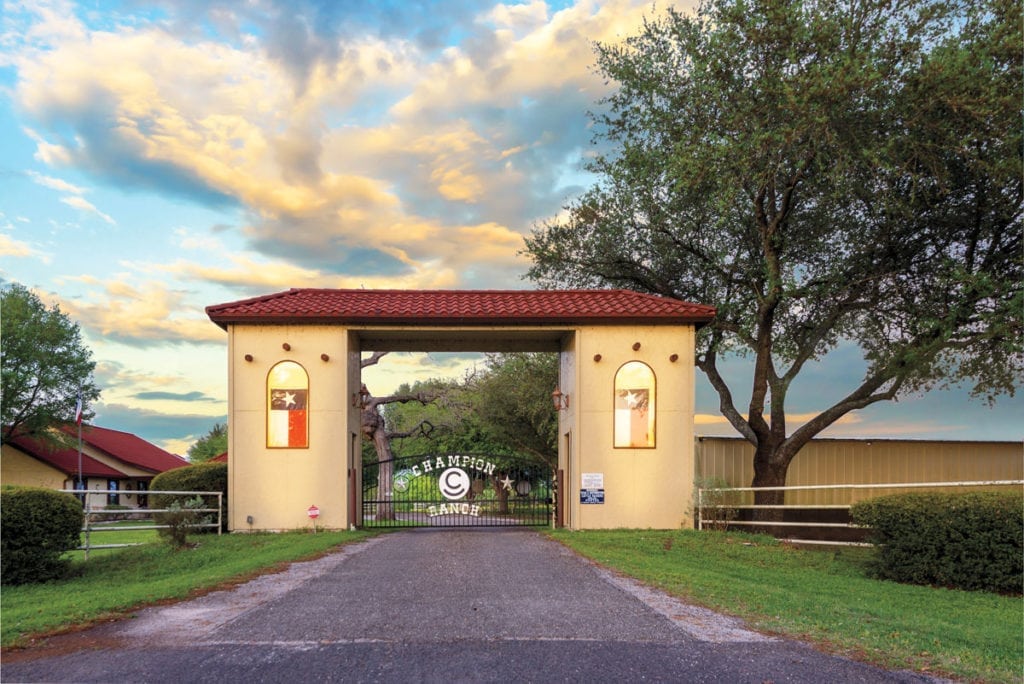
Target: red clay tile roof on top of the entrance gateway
pixel 461 308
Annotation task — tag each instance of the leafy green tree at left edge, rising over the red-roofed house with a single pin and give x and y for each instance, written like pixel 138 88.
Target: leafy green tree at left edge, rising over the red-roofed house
pixel 45 367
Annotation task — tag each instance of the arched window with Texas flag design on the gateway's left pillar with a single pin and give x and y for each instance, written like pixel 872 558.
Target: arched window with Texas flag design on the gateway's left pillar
pixel 287 407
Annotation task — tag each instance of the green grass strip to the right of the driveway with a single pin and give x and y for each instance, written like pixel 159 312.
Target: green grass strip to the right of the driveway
pixel 825 597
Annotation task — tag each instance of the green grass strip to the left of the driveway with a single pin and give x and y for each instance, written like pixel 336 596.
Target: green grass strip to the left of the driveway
pixel 120 581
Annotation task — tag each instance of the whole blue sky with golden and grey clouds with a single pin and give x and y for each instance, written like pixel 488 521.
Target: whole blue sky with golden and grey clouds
pixel 161 157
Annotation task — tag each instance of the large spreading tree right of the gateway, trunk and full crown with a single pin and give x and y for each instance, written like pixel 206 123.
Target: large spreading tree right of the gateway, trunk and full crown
pixel 823 174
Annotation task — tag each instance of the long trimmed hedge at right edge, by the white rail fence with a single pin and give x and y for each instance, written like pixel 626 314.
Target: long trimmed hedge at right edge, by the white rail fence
pixel 963 541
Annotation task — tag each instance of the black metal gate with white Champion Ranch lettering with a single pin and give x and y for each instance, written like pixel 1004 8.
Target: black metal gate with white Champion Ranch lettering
pixel 457 491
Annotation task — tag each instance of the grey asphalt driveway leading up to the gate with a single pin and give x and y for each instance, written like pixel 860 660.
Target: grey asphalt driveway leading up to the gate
pixel 436 606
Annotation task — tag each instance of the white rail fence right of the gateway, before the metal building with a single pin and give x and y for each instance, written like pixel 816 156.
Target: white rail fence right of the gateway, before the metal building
pixel 713 499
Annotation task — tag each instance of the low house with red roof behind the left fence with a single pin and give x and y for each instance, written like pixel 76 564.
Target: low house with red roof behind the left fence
pixel 120 464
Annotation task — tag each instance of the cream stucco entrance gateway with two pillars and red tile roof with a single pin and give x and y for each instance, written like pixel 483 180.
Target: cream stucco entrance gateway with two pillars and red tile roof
pixel 626 390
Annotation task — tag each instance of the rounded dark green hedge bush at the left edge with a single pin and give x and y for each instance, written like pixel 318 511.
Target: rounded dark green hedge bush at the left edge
pixel 37 527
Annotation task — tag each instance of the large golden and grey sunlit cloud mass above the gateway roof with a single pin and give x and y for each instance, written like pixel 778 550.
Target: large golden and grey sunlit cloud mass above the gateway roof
pixel 474 137
